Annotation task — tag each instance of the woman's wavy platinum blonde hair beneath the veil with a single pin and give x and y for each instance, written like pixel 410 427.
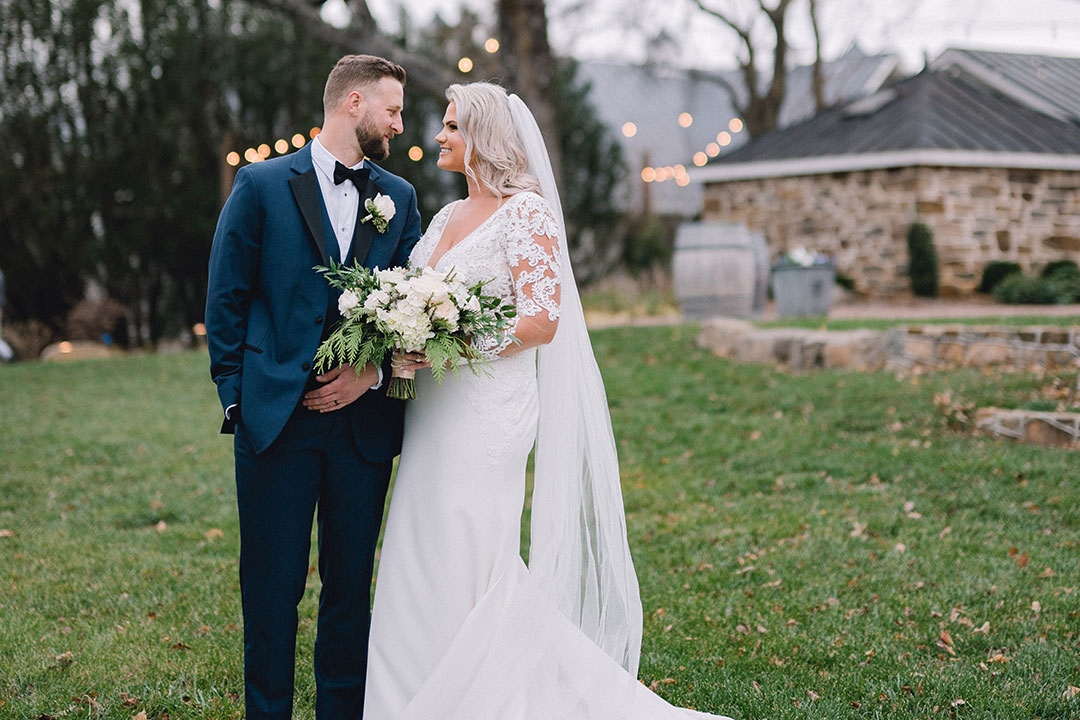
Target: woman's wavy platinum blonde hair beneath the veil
pixel 495 157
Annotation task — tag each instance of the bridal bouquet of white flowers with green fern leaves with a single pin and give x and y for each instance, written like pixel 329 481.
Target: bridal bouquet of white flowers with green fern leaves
pixel 410 311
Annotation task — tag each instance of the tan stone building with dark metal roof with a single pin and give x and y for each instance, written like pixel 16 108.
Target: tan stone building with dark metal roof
pixel 984 155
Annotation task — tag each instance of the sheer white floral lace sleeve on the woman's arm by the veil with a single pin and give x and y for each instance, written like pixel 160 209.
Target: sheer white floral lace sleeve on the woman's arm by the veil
pixel 533 254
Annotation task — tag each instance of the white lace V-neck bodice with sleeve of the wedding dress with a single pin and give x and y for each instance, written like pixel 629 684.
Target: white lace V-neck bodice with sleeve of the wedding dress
pixel 516 249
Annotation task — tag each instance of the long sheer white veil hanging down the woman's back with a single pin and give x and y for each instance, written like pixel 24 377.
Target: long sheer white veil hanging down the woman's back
pixel 579 554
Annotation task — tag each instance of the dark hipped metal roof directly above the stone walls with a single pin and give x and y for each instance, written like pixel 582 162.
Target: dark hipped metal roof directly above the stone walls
pixel 939 111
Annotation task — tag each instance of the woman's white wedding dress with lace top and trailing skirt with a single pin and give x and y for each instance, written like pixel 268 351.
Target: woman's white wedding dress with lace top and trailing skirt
pixel 462 630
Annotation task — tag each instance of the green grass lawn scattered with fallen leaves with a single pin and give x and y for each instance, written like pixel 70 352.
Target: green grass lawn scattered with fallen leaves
pixel 827 546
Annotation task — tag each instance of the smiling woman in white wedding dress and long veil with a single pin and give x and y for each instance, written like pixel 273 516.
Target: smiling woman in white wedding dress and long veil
pixel 462 628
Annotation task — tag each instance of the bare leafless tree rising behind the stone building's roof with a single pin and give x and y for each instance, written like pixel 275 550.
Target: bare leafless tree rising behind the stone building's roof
pixel 761 106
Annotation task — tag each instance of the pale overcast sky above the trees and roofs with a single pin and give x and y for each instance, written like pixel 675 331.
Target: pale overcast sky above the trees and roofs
pixel 627 30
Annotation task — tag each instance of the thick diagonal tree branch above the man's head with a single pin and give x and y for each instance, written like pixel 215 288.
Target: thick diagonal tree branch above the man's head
pixel 430 78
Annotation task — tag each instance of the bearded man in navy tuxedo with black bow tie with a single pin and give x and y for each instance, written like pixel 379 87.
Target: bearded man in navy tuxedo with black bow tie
pixel 306 441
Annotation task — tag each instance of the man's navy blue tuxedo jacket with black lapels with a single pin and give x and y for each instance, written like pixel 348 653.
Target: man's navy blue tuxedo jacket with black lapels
pixel 267 309
